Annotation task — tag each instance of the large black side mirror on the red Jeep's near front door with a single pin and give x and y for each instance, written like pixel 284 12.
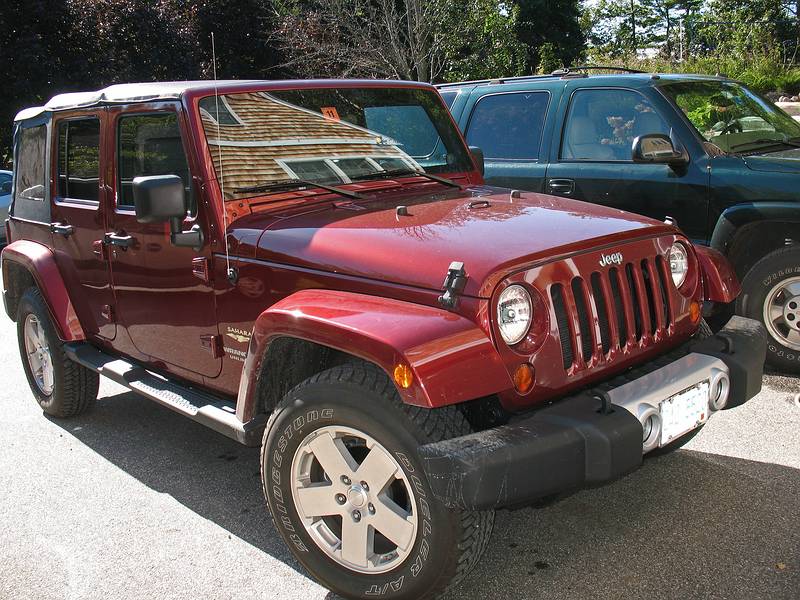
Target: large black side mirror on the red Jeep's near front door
pixel 161 198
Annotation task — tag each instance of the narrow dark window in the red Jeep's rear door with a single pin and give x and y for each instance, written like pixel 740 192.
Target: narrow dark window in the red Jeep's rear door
pixel 79 159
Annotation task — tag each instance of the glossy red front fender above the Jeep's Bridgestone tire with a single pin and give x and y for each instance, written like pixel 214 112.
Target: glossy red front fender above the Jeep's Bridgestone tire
pixel 451 358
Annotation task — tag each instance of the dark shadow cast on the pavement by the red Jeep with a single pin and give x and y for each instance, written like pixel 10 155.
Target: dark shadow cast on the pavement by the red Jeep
pixel 686 525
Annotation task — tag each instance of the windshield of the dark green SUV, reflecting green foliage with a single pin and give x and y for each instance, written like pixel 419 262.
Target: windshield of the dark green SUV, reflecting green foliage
pixel 732 117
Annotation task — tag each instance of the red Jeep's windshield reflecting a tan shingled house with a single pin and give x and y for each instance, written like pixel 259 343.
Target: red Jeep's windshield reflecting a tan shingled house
pixel 326 135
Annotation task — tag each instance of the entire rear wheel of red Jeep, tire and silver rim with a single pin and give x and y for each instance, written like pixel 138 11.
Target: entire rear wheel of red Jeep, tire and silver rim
pixel 62 388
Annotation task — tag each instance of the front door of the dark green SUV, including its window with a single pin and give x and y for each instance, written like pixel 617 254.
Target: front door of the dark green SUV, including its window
pixel 592 160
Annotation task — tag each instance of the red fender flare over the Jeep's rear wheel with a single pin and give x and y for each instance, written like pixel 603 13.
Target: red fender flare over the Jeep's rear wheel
pixel 40 262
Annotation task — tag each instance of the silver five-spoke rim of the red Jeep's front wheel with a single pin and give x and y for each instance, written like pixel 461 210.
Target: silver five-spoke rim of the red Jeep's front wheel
pixel 354 499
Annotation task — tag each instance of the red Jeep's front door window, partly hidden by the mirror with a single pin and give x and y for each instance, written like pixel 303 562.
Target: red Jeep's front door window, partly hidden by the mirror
pixel 150 144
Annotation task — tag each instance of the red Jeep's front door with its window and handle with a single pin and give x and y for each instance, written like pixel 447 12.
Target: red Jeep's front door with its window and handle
pixel 163 301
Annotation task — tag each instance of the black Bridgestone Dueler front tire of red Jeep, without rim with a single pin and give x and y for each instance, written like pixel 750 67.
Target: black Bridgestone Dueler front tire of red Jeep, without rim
pixel 448 544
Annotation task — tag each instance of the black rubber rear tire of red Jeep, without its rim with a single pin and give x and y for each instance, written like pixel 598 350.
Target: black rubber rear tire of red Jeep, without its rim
pixel 74 388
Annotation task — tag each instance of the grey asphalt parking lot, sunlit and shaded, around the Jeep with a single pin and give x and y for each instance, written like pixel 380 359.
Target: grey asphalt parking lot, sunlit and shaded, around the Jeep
pixel 134 501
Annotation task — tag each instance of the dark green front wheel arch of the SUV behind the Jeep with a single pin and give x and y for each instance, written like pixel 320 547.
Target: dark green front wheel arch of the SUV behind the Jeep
pixel 745 233
